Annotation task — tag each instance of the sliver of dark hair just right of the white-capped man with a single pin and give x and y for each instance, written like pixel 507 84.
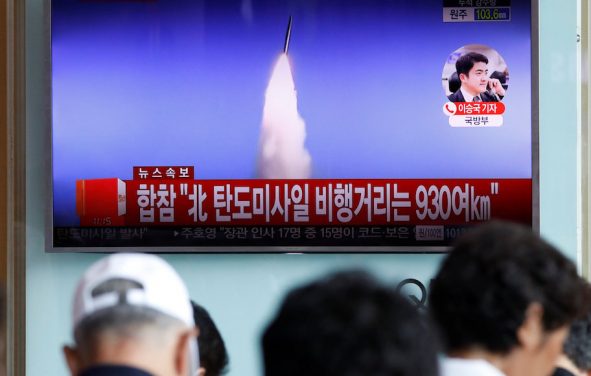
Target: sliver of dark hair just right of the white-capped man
pixel 212 350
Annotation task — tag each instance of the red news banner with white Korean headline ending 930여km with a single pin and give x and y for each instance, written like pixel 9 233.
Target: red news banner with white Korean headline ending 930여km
pixel 170 196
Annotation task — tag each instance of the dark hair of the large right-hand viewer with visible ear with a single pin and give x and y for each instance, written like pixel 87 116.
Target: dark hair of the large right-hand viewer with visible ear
pixel 484 287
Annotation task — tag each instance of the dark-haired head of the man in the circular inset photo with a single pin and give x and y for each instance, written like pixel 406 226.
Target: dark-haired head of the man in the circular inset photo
pixel 473 72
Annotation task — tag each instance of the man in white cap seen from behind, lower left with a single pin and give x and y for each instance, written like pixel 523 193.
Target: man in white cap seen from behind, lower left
pixel 132 317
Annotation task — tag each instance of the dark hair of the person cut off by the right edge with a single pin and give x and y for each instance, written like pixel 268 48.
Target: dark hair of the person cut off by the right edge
pixel 577 346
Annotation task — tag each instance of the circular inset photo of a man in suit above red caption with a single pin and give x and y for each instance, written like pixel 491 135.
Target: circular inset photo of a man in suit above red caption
pixel 475 73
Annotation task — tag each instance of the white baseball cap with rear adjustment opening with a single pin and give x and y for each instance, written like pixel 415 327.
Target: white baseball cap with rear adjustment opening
pixel 156 285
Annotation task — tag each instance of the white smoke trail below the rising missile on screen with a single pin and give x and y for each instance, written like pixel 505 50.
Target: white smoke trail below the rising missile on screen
pixel 282 154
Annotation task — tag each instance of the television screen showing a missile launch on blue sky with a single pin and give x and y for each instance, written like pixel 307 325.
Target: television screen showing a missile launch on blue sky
pixel 253 125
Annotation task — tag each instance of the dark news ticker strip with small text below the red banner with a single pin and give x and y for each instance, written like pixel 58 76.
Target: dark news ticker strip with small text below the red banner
pixel 258 236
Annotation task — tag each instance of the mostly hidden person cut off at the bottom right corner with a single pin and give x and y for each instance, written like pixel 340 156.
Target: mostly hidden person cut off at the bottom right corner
pixel 575 359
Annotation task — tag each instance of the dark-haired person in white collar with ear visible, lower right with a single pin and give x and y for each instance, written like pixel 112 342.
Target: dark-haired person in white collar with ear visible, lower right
pixel 503 300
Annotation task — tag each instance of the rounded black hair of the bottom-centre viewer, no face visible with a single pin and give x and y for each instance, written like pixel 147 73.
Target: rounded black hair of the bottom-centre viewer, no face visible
pixel 348 324
